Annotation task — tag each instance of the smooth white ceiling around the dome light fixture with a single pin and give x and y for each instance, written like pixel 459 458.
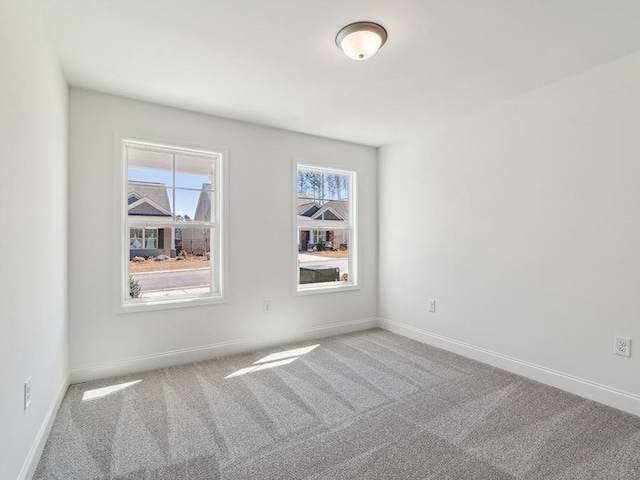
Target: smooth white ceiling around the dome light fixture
pixel 275 63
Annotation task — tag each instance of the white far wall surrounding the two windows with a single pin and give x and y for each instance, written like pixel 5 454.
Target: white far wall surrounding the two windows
pixel 261 265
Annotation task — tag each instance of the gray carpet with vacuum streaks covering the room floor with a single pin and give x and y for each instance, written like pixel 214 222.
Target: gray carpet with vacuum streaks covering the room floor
pixel 368 405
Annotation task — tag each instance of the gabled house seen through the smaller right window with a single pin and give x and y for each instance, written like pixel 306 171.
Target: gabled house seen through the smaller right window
pixel 312 215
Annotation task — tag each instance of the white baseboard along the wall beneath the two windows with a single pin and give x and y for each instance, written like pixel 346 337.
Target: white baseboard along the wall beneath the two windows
pixel 142 363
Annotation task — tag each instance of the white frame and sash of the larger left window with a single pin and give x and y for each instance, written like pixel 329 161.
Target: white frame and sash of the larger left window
pixel 218 241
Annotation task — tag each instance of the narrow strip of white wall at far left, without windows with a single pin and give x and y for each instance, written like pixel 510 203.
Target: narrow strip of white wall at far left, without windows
pixel 33 208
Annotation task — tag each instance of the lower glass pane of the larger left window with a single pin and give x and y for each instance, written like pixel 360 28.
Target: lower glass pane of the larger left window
pixel 183 273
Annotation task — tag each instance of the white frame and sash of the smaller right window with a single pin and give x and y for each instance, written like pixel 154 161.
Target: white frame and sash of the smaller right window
pixel 351 228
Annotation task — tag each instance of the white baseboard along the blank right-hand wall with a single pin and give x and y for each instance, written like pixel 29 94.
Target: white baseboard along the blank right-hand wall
pixel 613 397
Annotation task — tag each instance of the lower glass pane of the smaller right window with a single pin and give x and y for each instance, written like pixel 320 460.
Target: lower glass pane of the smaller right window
pixel 323 256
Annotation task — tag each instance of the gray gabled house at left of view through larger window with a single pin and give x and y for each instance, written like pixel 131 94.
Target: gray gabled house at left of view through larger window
pixel 149 200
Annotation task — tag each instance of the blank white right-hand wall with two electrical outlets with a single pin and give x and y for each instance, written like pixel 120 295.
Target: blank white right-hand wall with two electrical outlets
pixel 523 223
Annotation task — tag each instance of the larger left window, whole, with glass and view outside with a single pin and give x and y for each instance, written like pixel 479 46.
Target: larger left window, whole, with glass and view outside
pixel 171 225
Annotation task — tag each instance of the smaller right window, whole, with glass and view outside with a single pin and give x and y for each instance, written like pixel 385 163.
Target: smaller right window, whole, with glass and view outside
pixel 326 229
